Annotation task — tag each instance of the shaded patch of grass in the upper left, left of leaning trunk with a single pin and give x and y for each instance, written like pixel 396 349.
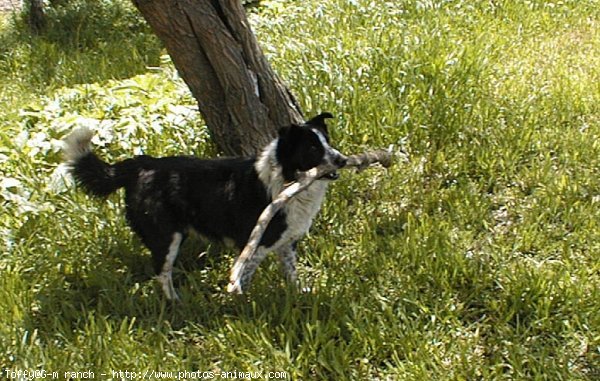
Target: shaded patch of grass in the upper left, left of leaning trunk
pixel 84 42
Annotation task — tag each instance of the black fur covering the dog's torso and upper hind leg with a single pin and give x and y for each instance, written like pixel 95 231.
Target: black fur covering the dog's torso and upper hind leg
pixel 220 198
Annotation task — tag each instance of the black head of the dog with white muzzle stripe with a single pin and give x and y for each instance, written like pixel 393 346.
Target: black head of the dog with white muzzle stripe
pixel 302 147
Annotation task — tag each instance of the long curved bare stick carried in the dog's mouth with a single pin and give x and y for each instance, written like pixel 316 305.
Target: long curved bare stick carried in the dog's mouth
pixel 360 162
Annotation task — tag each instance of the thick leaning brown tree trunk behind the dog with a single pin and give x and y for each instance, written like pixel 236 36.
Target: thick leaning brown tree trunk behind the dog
pixel 216 53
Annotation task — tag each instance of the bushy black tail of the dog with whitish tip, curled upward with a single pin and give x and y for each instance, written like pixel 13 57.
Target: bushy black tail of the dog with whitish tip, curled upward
pixel 97 177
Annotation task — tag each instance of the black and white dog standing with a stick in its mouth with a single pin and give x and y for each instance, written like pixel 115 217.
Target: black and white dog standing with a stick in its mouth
pixel 219 198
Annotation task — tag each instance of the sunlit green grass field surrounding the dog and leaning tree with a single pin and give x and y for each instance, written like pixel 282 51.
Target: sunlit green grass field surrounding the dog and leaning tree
pixel 475 257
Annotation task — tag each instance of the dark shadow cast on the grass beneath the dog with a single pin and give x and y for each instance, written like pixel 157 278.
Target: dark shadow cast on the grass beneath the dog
pixel 120 285
